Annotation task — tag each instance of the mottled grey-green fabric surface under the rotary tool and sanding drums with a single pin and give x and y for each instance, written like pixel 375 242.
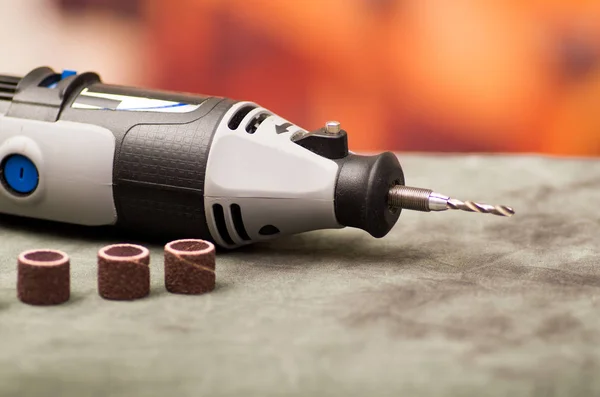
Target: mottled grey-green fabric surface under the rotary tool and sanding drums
pixel 448 304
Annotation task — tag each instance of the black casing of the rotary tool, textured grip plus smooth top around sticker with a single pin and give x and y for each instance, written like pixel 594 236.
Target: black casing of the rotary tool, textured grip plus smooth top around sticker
pixel 160 160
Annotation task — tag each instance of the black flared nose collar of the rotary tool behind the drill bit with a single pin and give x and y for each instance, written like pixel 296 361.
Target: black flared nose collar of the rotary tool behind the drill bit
pixel 362 189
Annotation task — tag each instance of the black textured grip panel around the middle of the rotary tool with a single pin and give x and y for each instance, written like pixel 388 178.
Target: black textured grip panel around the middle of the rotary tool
pixel 159 176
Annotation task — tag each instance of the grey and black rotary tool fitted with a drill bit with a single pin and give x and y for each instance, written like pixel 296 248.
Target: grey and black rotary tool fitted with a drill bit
pixel 76 150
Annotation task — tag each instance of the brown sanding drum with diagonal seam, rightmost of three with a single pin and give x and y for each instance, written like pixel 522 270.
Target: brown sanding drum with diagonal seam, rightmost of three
pixel 190 267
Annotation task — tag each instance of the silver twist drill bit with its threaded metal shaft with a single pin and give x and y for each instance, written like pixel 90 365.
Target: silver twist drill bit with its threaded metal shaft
pixel 426 200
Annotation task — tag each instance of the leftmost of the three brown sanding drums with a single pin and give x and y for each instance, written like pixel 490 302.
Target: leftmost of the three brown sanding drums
pixel 43 277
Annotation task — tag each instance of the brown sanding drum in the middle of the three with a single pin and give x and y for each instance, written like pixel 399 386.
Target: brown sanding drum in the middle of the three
pixel 123 272
